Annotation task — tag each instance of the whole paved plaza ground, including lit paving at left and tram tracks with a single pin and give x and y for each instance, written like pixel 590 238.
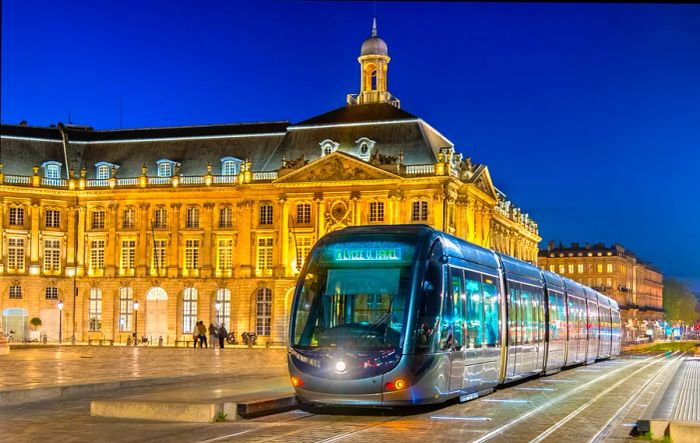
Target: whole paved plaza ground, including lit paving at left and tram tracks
pixel 600 402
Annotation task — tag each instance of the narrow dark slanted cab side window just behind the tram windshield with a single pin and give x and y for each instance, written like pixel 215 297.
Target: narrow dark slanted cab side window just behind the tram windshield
pixel 429 306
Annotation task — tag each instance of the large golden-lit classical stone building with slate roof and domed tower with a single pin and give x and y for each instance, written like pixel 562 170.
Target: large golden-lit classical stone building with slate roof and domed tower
pixel 213 223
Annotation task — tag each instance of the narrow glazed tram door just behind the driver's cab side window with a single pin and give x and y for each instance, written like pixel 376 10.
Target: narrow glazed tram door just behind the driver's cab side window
pixel 455 344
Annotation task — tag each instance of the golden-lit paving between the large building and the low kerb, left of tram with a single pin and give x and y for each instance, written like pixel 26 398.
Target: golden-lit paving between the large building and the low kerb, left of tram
pixel 55 365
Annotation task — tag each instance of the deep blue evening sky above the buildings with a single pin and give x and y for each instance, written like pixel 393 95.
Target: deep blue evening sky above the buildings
pixel 588 115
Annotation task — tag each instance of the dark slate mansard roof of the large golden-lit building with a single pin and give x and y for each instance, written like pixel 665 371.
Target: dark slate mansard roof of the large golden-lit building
pixel 394 132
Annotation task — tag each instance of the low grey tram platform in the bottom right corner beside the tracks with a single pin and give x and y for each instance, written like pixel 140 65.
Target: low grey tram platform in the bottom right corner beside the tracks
pixel 675 409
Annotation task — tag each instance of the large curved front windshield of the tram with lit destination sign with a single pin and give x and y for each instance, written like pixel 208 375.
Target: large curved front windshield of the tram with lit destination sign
pixel 354 294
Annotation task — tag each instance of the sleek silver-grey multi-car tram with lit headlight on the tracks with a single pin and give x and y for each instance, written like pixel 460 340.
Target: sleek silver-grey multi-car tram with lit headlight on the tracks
pixel 407 315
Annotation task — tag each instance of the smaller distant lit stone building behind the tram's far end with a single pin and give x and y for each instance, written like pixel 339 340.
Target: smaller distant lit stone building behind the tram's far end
pixel 636 286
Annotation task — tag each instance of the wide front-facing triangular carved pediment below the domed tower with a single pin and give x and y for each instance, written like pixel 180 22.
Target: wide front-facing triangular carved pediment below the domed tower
pixel 334 167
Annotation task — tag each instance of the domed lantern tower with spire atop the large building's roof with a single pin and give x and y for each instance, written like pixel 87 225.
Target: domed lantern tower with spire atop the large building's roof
pixel 374 60
